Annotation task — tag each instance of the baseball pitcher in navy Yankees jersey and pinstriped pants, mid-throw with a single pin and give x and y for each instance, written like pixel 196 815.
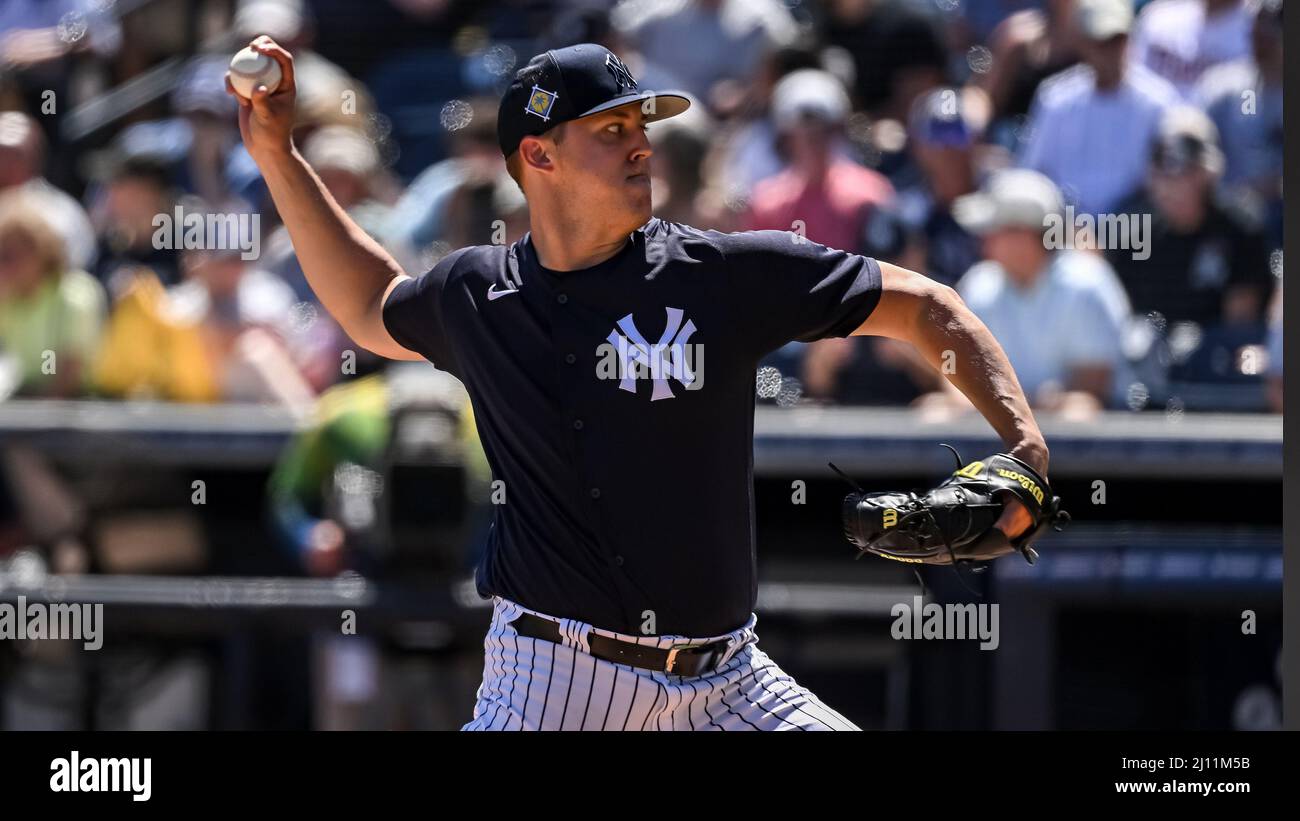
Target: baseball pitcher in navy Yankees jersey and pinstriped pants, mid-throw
pixel 610 359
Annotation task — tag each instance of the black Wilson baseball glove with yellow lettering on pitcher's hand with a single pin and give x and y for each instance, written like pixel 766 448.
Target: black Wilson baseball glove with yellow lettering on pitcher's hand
pixel 955 522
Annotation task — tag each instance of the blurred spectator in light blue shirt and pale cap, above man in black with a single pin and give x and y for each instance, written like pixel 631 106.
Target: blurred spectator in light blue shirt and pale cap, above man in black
pixel 1091 127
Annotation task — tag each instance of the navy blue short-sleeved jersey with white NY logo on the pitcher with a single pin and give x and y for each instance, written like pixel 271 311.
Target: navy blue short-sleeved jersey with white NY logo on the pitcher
pixel 617 406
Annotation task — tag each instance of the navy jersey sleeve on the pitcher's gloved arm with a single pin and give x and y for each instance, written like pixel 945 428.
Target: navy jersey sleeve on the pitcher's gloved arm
pixel 788 288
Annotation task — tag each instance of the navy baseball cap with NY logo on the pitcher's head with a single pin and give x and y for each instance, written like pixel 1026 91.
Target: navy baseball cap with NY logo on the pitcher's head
pixel 567 84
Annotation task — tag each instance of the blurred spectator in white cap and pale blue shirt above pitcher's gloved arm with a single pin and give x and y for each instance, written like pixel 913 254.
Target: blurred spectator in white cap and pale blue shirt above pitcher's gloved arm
pixel 1059 315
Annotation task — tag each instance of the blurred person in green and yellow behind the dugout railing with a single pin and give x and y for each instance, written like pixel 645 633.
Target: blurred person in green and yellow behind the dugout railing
pixel 388 480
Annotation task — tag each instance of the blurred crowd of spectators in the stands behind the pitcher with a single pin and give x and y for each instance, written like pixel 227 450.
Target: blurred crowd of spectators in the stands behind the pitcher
pixel 1103 184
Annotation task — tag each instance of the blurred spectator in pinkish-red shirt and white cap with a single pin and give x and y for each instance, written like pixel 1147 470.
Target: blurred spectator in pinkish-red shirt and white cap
pixel 822 194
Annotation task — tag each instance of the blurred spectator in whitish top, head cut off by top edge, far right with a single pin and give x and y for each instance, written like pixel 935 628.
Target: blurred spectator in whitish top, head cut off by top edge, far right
pixel 1180 40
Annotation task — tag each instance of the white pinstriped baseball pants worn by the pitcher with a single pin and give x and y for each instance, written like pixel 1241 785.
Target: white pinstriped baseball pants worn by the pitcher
pixel 538 685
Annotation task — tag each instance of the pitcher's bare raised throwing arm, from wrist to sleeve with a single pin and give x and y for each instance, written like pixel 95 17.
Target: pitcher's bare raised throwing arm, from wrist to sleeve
pixel 348 270
